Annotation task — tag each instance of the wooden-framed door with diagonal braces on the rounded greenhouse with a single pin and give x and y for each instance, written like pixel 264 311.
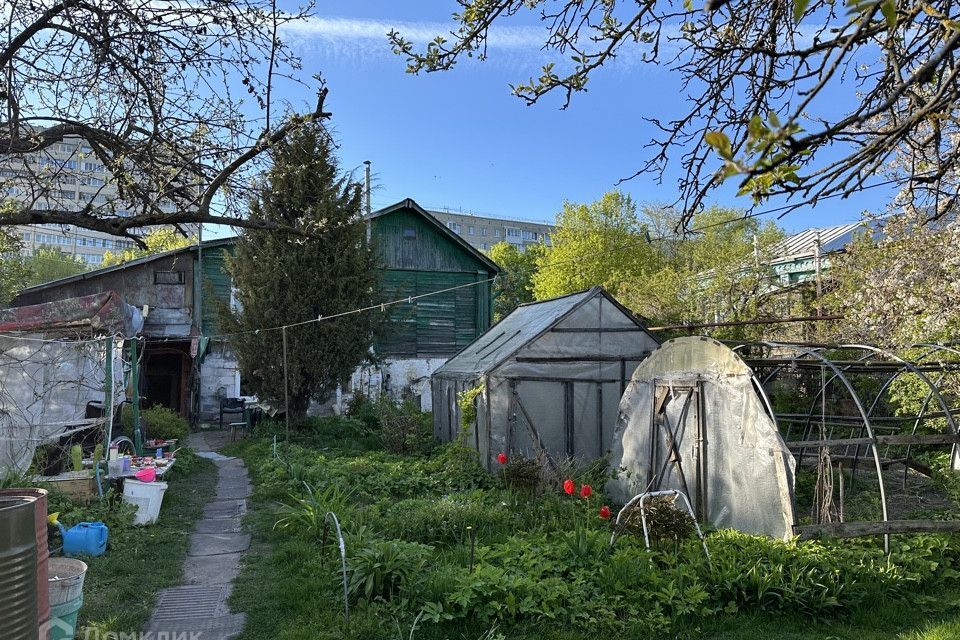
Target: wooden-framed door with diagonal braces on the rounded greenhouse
pixel 678 451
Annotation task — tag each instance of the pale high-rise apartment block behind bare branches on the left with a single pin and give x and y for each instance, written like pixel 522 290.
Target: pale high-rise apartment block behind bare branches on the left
pixel 66 175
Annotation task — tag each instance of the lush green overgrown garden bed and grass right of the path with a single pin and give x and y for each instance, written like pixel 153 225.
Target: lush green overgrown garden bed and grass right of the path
pixel 541 565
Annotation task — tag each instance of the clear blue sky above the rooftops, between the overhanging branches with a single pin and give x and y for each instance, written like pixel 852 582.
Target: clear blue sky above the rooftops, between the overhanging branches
pixel 460 140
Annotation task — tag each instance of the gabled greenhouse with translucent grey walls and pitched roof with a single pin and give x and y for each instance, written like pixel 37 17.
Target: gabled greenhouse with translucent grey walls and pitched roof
pixel 545 379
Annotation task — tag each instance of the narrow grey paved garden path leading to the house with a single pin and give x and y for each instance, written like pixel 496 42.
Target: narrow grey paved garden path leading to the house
pixel 198 608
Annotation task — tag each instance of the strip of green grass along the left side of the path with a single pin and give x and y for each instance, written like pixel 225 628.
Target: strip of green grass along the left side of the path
pixel 121 586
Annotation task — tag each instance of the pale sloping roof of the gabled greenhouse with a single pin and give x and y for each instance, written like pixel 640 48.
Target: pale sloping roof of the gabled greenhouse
pixel 525 324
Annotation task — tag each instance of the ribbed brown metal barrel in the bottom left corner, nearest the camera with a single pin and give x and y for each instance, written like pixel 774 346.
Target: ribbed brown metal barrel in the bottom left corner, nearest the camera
pixel 18 569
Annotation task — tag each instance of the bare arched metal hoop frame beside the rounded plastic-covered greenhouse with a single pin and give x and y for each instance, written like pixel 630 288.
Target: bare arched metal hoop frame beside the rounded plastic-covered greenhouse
pixel 848 418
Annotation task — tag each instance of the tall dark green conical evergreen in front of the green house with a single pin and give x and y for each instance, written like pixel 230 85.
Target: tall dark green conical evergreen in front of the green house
pixel 283 278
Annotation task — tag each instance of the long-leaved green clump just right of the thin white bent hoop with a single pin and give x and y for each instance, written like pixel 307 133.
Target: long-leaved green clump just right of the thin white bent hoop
pixel 382 569
